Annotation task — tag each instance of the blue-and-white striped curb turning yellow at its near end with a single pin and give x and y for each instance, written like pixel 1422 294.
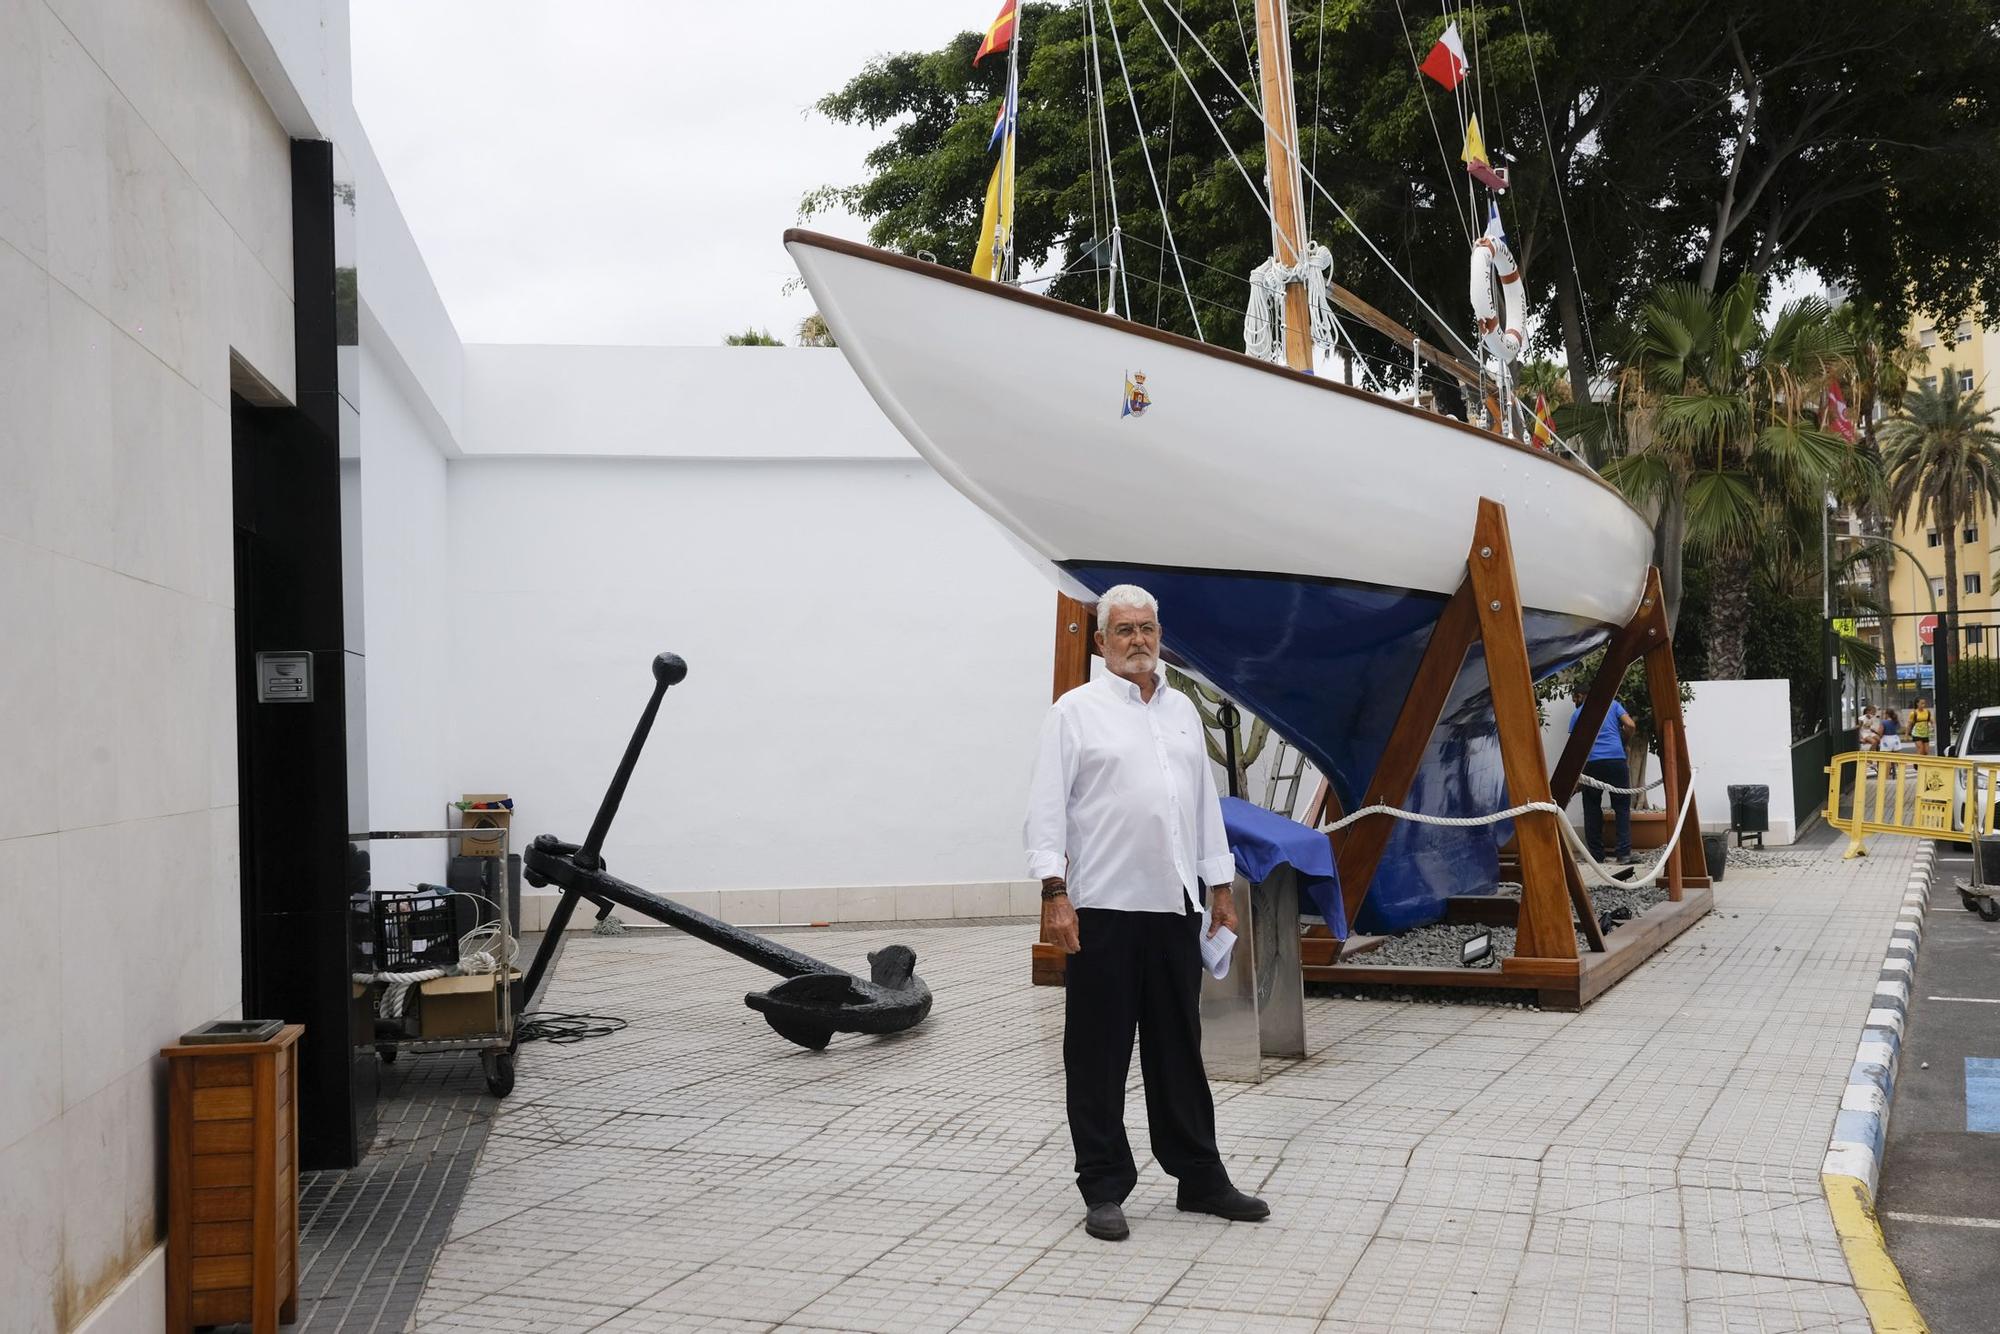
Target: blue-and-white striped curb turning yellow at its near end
pixel 1853 1167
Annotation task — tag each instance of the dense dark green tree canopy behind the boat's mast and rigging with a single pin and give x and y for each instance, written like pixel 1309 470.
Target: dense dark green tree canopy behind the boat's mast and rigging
pixel 1693 141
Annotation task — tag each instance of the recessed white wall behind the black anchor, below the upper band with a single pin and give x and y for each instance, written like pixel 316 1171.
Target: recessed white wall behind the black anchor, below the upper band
pixel 869 661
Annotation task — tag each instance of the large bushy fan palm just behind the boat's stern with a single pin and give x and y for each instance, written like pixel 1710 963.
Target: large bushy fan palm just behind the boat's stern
pixel 1723 439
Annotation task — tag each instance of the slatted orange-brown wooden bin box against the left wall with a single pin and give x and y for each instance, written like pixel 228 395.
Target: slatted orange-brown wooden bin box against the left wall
pixel 233 1183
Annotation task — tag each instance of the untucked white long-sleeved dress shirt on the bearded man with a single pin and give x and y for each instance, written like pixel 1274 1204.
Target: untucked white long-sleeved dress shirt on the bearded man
pixel 1123 803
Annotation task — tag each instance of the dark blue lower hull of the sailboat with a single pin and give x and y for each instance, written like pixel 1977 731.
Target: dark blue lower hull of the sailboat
pixel 1327 665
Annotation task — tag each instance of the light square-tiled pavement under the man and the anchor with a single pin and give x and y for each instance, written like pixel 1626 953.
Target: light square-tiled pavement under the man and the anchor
pixel 1649 1165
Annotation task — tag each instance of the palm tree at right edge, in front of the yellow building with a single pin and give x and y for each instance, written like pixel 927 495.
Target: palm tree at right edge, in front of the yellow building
pixel 1943 459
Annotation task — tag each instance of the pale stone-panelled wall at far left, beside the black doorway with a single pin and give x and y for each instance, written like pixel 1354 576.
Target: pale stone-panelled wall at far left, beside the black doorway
pixel 145 235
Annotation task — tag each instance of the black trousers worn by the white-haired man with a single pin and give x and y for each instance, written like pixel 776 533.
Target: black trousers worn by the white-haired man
pixel 1137 971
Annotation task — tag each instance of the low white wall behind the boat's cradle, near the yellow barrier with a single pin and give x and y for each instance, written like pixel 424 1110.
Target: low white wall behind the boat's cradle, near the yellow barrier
pixel 1739 731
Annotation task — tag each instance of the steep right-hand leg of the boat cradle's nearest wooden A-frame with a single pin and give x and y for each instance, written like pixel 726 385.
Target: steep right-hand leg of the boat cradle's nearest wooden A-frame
pixel 1545 905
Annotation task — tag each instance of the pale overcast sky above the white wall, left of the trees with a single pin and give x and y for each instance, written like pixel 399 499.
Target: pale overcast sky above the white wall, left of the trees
pixel 621 171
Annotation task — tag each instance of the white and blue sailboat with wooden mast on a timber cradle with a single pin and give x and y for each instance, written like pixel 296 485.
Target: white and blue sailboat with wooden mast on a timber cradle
pixel 1301 535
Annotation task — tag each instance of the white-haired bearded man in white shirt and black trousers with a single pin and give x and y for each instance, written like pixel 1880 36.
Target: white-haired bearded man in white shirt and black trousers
pixel 1123 831
